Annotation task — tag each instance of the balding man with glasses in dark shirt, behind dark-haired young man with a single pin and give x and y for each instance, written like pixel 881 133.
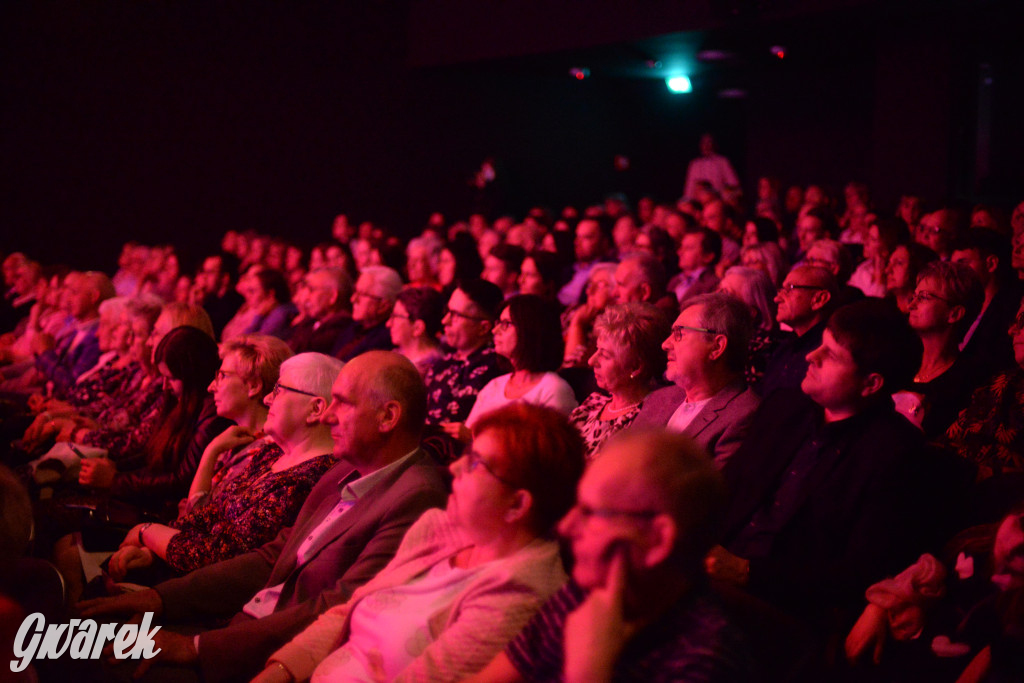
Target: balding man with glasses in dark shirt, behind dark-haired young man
pixel 804 302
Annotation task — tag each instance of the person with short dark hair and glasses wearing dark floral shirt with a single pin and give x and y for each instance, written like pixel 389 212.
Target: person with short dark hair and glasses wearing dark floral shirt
pixel 470 361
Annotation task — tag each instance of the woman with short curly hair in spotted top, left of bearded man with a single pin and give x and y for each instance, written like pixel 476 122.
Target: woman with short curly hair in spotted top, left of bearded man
pixel 628 364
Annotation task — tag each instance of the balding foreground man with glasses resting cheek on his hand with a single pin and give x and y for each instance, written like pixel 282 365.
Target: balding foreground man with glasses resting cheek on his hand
pixel 638 608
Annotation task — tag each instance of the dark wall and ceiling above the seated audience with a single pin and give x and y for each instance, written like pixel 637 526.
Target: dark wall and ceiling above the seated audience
pixel 176 121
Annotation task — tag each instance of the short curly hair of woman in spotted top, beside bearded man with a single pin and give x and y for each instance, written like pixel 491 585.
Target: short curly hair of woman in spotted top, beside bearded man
pixel 641 328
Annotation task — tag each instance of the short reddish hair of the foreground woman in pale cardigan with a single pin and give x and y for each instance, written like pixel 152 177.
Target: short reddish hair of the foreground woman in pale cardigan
pixel 542 453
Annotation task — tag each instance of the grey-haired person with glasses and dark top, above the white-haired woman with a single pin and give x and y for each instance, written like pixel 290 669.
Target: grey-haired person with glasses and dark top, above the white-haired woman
pixel 376 291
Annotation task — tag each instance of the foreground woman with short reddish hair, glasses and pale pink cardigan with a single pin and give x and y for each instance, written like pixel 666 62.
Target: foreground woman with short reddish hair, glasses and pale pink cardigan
pixel 465 580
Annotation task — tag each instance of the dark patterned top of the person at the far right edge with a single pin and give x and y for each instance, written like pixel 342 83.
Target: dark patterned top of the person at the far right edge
pixel 991 431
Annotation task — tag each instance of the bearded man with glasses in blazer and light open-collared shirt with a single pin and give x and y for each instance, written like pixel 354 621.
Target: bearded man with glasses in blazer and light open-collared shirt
pixel 710 402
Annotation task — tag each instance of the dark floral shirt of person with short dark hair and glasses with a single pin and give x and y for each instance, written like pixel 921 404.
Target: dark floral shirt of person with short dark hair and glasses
pixel 454 383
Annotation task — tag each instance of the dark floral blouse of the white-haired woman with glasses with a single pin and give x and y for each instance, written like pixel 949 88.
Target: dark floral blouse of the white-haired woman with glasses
pixel 247 513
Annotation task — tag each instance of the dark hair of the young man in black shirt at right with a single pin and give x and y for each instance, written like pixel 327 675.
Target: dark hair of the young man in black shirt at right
pixel 880 339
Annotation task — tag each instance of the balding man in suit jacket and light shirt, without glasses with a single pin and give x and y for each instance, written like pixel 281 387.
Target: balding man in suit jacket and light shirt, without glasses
pixel 349 529
